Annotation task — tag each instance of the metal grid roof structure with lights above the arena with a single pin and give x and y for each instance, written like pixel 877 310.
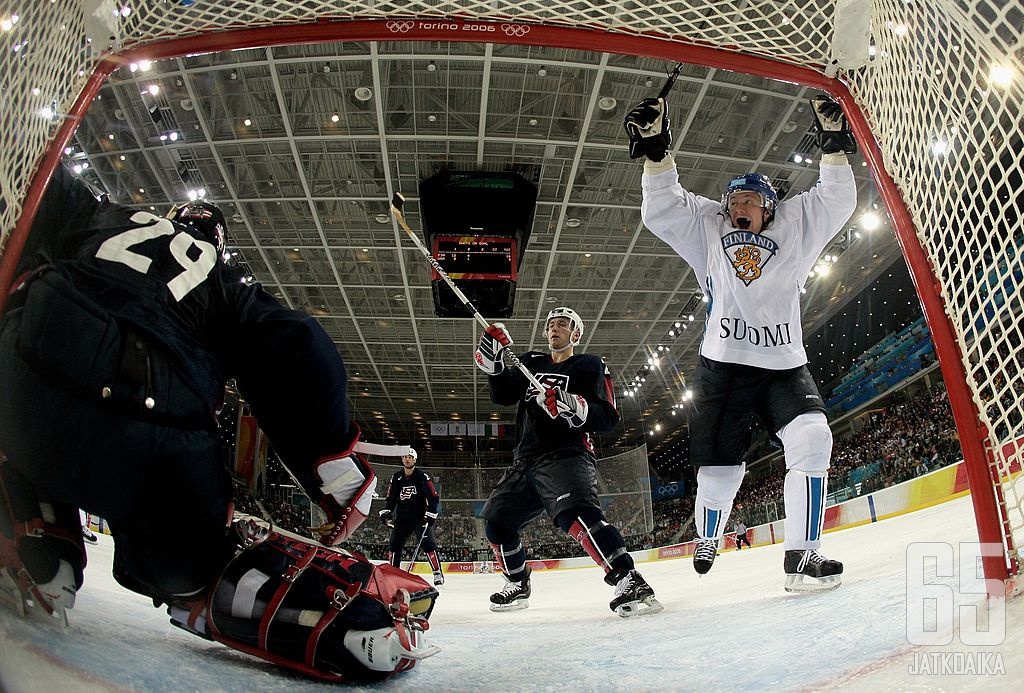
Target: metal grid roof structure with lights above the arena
pixel 303 147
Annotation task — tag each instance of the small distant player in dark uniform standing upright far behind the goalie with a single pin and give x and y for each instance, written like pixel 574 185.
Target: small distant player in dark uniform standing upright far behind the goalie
pixel 411 509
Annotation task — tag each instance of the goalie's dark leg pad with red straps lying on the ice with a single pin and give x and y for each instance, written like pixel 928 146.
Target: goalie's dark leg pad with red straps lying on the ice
pixel 292 602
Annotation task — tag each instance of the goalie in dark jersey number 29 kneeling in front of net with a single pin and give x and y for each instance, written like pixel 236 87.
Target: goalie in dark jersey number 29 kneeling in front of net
pixel 115 349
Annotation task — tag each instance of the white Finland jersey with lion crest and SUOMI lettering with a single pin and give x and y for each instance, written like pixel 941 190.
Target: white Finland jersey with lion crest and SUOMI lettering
pixel 752 281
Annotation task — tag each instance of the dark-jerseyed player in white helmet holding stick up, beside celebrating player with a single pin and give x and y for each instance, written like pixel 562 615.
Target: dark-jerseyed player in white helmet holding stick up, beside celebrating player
pixel 553 463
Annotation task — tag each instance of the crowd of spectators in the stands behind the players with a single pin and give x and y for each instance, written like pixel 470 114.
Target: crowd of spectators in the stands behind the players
pixel 888 446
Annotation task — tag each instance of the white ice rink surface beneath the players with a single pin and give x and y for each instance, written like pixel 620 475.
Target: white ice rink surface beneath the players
pixel 733 630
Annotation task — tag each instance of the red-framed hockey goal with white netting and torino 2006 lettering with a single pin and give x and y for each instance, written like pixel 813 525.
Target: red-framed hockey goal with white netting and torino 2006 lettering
pixel 935 104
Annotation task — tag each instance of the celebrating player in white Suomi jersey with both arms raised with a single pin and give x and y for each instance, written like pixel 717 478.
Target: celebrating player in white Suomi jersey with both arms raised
pixel 751 254
